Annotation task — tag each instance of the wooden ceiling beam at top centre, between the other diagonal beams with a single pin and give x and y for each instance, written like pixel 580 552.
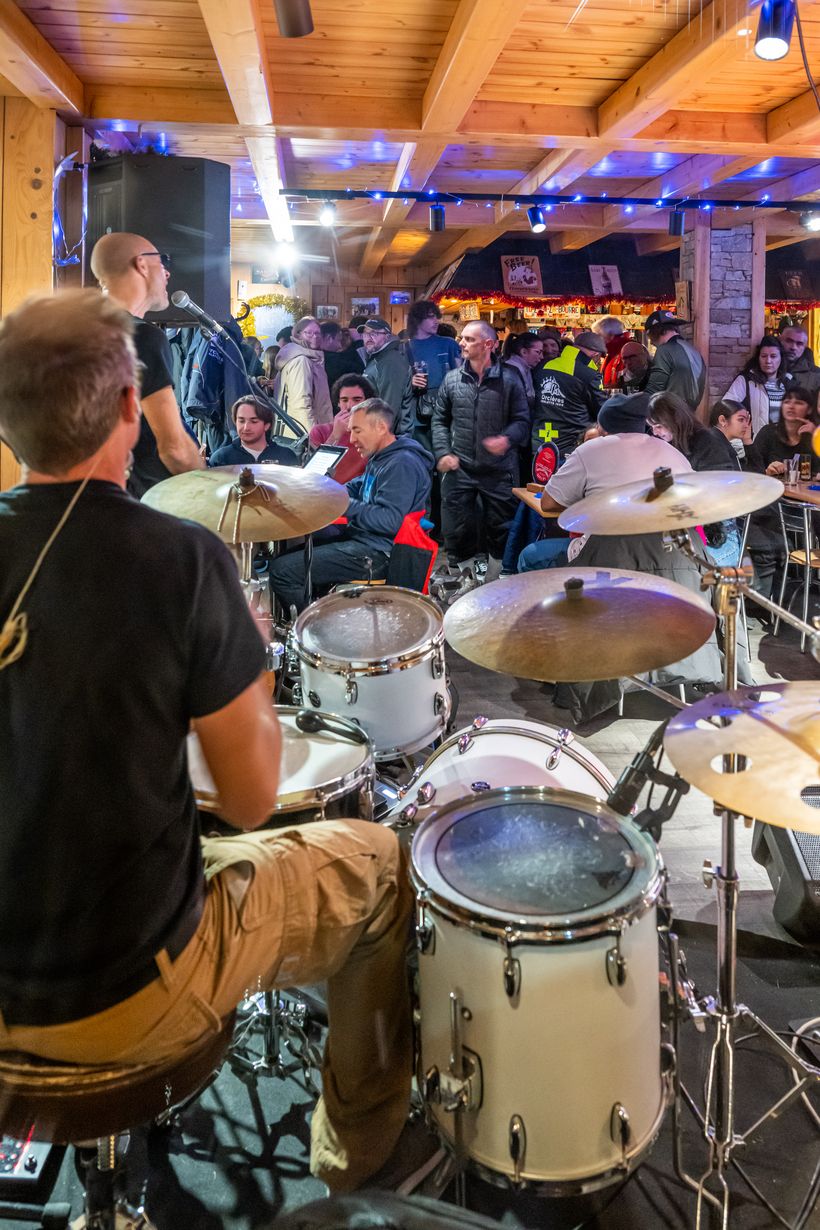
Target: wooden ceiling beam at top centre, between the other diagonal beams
pixel 478 36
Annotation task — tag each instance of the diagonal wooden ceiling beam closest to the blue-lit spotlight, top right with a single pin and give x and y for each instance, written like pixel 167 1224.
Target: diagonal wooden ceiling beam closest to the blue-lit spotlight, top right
pixel 695 54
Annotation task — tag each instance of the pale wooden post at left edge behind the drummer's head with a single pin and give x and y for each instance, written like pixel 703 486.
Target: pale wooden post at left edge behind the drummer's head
pixel 26 177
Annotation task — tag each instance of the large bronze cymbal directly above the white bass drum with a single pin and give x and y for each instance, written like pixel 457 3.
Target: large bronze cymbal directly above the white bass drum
pixel 578 624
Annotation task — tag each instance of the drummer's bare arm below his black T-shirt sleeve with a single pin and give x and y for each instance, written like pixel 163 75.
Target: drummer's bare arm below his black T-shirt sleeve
pixel 243 747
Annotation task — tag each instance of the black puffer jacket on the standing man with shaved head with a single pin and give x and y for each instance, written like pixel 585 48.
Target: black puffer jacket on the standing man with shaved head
pixel 469 411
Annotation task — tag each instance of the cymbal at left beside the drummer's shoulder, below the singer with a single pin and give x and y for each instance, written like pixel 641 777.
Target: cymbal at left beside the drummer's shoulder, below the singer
pixel 281 502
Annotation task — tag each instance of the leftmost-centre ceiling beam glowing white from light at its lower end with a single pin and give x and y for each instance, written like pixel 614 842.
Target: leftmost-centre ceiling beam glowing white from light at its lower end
pixel 239 46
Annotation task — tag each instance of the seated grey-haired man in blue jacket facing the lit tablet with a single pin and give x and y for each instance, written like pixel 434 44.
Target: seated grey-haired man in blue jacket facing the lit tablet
pixel 396 482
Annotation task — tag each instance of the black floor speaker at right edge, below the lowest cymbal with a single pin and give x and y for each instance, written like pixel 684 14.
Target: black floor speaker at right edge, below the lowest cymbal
pixel 792 860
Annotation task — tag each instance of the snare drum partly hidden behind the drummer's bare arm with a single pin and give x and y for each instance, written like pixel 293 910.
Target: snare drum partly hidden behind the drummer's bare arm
pixel 324 776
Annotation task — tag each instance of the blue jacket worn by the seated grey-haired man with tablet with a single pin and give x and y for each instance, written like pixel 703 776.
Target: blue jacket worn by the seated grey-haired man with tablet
pixel 396 482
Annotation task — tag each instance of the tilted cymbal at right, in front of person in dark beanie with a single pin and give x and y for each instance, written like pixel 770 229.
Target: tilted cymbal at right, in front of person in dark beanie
pixel 672 502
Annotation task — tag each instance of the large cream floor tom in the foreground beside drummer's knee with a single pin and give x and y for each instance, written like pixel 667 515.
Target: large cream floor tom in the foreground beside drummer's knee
pixel 539 987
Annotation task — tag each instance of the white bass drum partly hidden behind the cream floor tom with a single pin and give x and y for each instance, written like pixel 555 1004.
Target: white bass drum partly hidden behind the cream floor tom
pixel 500 752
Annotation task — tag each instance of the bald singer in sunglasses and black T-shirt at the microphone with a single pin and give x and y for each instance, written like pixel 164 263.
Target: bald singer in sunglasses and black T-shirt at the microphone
pixel 135 275
